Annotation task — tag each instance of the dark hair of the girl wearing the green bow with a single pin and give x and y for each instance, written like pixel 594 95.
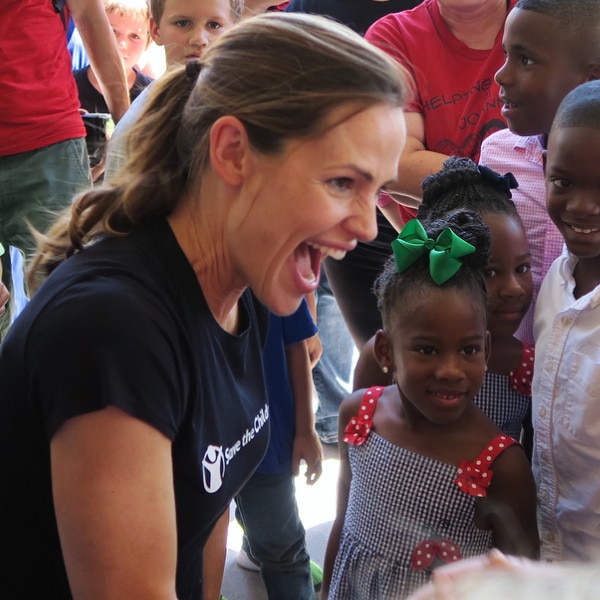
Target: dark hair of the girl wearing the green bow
pixel 396 290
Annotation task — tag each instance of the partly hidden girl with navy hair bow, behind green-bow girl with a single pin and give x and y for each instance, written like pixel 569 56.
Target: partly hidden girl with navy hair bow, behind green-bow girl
pixel 505 396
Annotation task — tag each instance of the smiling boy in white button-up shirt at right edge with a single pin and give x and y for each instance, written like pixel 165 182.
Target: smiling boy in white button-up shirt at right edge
pixel 566 390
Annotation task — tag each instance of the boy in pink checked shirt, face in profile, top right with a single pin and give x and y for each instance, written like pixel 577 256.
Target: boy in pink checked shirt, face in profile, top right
pixel 551 47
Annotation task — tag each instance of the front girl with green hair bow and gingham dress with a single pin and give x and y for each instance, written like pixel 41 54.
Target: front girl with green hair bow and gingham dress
pixel 425 477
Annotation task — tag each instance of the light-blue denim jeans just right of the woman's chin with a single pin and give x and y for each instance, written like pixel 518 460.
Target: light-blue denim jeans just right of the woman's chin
pixel 332 375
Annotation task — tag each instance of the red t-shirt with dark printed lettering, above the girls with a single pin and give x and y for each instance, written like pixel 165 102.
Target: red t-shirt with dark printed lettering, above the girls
pixel 455 89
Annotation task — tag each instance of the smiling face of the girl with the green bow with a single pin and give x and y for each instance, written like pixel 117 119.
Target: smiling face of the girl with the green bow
pixel 439 346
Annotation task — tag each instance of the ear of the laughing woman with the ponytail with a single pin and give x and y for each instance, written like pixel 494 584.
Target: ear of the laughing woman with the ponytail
pixel 229 149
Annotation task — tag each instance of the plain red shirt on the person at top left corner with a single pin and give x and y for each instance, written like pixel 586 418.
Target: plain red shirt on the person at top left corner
pixel 38 96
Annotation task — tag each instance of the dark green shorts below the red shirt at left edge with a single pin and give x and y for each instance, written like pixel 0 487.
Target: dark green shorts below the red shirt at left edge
pixel 35 187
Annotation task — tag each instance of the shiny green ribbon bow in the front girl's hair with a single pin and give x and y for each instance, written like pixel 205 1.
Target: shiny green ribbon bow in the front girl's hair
pixel 444 252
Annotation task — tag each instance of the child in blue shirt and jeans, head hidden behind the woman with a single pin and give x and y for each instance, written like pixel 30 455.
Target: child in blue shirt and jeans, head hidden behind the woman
pixel 274 538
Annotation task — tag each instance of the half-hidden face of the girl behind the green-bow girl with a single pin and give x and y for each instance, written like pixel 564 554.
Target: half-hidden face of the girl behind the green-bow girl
pixel 508 274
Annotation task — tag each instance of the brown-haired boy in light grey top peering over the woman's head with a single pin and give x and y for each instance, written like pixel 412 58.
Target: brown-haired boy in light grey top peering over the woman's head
pixel 185 28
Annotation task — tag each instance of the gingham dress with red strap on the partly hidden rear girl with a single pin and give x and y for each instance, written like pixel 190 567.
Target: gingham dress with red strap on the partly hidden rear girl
pixel 506 398
